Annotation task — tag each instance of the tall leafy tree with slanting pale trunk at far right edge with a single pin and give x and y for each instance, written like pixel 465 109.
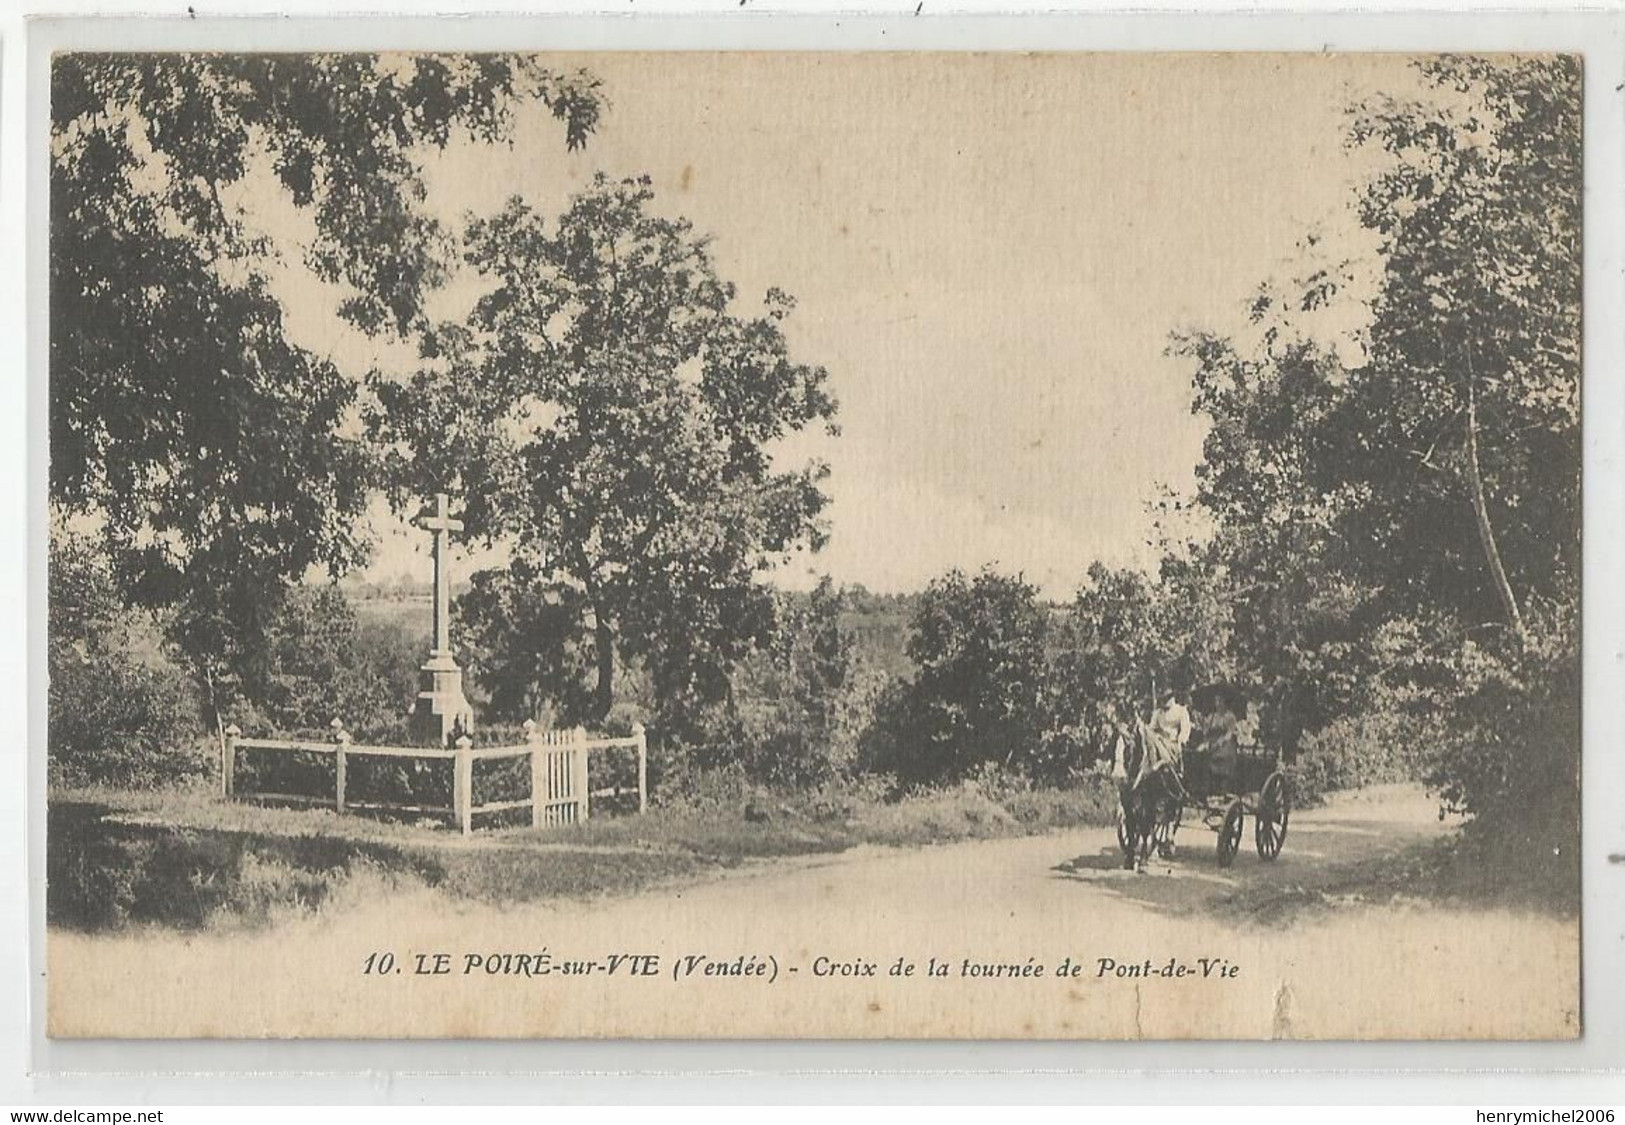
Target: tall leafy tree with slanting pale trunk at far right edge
pixel 1465 425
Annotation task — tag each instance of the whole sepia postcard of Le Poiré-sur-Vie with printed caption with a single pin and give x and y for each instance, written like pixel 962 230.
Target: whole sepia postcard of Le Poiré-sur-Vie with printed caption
pixel 815 545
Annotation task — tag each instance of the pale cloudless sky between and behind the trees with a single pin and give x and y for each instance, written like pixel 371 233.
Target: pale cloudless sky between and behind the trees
pixel 989 256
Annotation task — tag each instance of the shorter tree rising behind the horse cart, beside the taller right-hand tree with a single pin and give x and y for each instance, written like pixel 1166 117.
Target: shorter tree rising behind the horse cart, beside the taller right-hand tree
pixel 1270 482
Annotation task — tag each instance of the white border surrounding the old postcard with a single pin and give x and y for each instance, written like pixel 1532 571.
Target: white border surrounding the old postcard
pixel 35 1071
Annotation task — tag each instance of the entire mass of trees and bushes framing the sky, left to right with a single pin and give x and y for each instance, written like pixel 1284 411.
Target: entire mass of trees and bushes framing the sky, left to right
pixel 1395 536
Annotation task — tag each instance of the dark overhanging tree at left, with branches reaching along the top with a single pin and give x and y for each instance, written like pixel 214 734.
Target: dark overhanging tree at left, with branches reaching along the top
pixel 215 456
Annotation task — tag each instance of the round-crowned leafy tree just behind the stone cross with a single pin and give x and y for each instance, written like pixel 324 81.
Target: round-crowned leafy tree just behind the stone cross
pixel 610 414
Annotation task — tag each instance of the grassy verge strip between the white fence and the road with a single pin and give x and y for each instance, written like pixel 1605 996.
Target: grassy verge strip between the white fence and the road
pixel 191 861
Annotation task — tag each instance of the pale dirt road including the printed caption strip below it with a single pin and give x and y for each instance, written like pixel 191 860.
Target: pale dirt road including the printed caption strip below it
pixel 1033 937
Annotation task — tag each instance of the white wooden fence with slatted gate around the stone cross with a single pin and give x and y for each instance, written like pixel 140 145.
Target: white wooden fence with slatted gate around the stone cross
pixel 561 784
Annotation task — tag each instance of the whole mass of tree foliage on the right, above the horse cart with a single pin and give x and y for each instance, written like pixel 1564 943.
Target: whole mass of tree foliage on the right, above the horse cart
pixel 1402 532
